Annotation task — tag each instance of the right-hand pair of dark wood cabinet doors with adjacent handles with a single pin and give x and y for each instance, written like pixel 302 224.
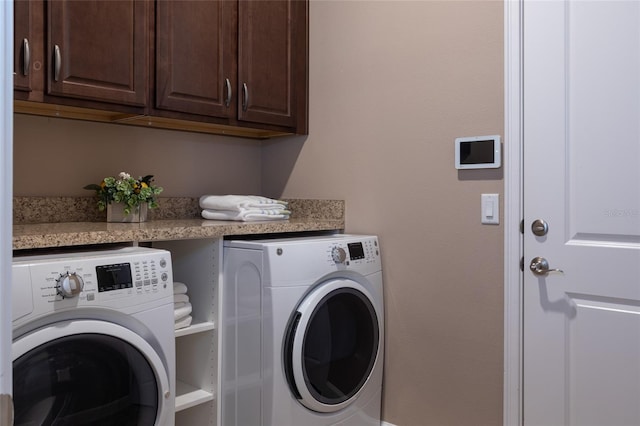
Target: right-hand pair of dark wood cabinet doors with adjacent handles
pixel 245 61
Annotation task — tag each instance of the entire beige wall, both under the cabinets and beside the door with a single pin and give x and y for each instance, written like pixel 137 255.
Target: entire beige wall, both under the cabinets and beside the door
pixel 392 84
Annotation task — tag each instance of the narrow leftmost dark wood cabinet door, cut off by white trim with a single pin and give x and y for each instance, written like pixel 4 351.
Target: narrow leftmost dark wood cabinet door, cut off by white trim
pixel 27 48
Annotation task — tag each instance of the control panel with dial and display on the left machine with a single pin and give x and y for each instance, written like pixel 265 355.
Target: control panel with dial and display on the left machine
pixel 117 279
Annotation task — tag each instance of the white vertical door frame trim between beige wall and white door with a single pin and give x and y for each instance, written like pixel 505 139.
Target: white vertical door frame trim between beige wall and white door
pixel 512 392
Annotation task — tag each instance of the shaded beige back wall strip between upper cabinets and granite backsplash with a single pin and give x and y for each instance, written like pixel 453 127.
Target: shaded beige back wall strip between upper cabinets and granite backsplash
pixel 58 157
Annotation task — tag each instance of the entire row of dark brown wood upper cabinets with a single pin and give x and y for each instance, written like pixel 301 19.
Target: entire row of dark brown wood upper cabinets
pixel 221 66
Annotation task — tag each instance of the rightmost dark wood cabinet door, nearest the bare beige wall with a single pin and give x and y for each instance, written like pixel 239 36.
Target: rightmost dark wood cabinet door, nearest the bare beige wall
pixel 273 62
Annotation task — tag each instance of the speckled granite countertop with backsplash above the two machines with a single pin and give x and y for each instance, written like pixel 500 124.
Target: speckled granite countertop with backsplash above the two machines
pixel 41 222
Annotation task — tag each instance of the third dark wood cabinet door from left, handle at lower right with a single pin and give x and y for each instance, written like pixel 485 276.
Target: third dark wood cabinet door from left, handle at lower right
pixel 196 56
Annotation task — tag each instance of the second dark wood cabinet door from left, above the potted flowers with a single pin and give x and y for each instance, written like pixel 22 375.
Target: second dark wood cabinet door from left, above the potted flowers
pixel 99 50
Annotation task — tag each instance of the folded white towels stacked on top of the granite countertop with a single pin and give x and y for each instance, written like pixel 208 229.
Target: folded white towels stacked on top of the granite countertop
pixel 242 208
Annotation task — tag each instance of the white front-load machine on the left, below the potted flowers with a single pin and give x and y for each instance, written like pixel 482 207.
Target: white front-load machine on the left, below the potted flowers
pixel 93 338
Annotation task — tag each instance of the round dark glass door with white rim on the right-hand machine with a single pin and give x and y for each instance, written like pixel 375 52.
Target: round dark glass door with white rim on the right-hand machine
pixel 331 345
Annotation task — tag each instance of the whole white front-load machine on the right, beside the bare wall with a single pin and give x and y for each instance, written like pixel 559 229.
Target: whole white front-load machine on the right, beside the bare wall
pixel 302 332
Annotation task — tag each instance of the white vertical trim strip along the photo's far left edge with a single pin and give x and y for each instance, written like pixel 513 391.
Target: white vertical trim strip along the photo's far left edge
pixel 6 192
